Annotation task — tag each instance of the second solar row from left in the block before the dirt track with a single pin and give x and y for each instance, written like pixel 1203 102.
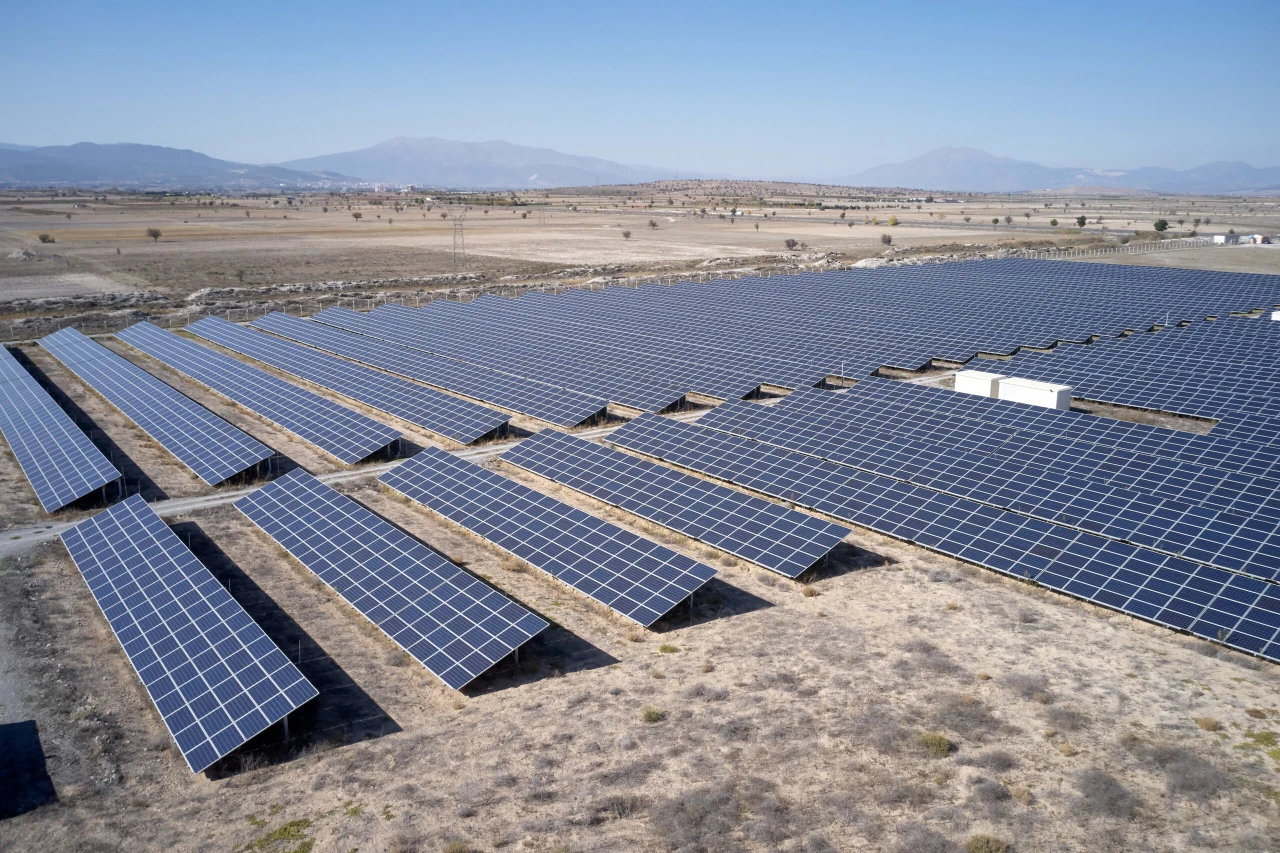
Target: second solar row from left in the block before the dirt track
pixel 447 621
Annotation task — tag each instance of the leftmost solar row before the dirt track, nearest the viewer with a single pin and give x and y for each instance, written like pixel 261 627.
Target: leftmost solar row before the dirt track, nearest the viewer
pixel 214 677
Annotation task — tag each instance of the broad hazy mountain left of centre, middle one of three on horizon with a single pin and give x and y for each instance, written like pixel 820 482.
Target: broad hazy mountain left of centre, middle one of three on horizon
pixel 445 163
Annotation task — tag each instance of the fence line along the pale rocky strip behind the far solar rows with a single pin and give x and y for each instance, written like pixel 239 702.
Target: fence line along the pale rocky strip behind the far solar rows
pixel 308 308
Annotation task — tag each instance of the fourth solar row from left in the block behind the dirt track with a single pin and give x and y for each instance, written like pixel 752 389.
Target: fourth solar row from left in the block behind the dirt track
pixel 432 410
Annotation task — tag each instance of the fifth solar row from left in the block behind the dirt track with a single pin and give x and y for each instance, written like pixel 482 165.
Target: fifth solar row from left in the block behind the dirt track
pixel 546 403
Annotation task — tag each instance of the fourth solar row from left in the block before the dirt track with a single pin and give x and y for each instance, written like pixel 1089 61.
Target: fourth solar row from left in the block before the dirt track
pixel 761 532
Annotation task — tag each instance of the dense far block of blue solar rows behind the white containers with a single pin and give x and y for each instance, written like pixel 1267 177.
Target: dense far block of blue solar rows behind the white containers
pixel 647 348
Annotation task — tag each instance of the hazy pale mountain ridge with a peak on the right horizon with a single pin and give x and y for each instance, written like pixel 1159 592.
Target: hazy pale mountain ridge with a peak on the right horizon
pixel 973 171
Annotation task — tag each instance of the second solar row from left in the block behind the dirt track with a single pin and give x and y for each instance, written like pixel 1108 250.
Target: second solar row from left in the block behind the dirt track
pixel 202 441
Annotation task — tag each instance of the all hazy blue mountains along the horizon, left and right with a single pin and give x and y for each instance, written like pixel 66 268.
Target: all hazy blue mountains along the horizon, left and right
pixel 501 166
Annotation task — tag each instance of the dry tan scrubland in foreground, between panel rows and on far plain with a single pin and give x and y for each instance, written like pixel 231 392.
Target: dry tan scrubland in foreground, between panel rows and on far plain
pixel 895 701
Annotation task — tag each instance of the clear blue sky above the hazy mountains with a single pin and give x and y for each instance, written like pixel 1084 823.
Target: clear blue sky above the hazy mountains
pixel 747 89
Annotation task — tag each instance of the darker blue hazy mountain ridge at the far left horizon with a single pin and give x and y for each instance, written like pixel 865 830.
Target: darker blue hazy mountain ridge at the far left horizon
pixel 147 167
